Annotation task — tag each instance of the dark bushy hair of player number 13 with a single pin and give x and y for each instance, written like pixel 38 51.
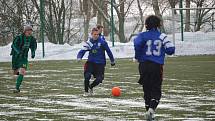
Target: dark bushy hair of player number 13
pixel 152 21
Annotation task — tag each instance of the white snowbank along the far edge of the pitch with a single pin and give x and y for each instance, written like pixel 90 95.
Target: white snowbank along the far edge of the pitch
pixel 198 43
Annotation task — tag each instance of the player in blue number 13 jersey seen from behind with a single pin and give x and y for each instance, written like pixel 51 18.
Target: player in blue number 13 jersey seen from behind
pixel 150 49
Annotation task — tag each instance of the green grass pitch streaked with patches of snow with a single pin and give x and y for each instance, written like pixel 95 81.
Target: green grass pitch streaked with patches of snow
pixel 52 90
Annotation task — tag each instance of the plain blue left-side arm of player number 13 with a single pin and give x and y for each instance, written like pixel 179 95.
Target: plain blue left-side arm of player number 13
pixel 138 44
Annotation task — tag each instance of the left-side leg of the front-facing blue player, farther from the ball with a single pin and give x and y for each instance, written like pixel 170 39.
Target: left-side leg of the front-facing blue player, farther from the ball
pixel 88 67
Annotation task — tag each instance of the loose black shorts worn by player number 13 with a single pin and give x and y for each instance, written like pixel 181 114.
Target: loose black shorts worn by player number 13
pixel 150 73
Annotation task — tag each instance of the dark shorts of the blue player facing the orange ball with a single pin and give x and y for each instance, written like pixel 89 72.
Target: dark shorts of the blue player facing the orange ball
pixel 97 70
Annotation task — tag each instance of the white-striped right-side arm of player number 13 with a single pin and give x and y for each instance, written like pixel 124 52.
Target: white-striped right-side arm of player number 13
pixel 169 46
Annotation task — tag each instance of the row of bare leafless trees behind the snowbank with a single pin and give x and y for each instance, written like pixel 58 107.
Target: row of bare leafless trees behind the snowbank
pixel 69 21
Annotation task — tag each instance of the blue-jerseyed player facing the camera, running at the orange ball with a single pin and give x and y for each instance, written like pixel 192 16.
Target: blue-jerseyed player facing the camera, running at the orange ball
pixel 96 62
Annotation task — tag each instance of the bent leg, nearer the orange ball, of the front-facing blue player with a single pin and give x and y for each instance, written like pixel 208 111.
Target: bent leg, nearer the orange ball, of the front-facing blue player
pixel 99 75
